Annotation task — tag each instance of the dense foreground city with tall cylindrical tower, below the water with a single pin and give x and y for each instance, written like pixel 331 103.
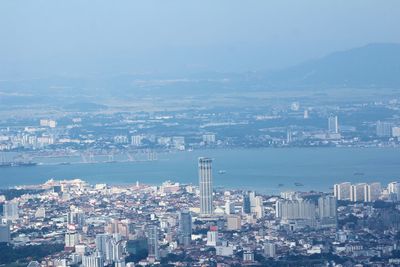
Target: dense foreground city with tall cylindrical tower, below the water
pixel 70 222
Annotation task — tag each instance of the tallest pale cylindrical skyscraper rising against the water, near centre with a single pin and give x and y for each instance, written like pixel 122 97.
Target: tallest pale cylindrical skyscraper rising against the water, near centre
pixel 206 188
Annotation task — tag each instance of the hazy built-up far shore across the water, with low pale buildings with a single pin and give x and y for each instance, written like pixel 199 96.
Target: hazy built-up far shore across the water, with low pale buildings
pixel 107 137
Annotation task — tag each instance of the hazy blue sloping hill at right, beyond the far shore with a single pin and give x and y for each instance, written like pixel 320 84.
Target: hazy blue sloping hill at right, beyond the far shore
pixel 373 66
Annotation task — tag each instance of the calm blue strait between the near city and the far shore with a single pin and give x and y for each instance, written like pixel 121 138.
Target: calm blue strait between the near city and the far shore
pixel 259 169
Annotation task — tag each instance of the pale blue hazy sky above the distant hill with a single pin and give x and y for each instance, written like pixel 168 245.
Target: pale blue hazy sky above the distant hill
pixel 44 37
